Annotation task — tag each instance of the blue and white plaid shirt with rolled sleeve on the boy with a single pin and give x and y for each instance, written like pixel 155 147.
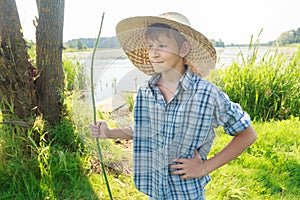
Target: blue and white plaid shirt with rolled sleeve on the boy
pixel 164 131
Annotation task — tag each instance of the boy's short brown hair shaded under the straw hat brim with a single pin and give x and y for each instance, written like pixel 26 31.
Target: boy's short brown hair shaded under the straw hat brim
pixel 153 31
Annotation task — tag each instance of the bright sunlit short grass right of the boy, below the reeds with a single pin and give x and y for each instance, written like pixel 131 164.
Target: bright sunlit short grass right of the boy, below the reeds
pixel 269 169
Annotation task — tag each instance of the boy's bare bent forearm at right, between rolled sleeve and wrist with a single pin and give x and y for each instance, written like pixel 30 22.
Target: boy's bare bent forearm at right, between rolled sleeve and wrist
pixel 237 145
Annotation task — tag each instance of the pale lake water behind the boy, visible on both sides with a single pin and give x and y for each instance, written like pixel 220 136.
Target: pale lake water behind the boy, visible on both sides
pixel 112 76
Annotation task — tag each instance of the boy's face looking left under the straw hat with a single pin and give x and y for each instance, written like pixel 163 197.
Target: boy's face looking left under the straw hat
pixel 164 54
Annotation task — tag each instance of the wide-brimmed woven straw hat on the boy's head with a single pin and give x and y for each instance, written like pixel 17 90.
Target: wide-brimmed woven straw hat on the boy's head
pixel 131 35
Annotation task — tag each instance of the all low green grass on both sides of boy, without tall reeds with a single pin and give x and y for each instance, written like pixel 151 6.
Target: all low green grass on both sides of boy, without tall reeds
pixel 270 169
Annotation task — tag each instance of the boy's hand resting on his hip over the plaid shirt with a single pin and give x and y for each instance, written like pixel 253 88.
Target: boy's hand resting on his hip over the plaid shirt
pixel 189 167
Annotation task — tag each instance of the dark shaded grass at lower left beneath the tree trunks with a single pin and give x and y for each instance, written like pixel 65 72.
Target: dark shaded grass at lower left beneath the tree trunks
pixel 51 165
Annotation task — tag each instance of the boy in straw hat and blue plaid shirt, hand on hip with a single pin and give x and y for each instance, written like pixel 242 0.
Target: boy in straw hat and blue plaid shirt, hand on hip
pixel 176 112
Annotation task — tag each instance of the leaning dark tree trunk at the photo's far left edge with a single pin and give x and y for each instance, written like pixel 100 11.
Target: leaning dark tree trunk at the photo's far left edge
pixel 17 90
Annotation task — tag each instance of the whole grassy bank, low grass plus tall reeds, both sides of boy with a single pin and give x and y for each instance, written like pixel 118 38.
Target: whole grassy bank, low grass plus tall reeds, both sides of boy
pixel 34 166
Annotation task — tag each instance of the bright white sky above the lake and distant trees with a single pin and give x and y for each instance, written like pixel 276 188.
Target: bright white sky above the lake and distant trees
pixel 232 21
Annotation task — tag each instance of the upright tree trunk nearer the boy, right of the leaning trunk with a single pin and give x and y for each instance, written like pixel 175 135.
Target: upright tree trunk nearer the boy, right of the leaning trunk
pixel 49 46
